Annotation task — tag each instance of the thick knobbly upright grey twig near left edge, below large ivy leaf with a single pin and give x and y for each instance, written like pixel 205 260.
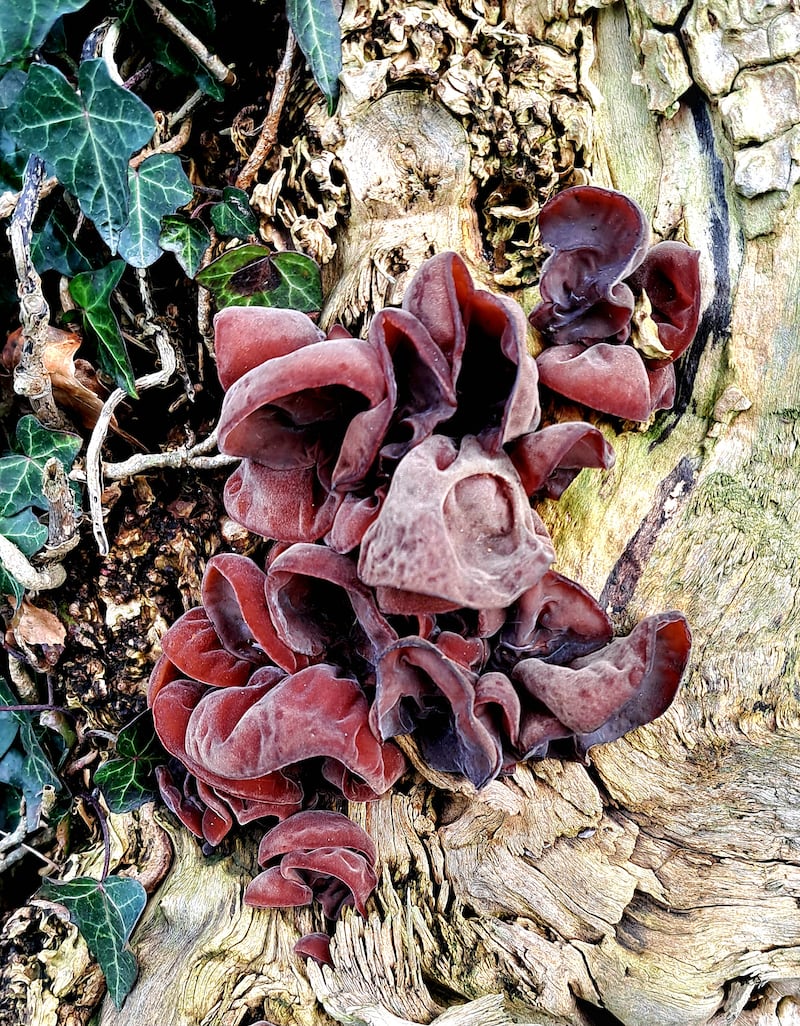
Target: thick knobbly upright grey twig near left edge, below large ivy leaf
pixel 31 378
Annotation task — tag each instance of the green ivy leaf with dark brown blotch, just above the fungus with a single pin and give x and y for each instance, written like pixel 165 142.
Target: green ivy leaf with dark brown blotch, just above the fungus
pixel 252 277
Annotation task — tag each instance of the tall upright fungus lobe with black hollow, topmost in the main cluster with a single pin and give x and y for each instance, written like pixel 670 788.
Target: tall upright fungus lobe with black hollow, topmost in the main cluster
pixel 484 339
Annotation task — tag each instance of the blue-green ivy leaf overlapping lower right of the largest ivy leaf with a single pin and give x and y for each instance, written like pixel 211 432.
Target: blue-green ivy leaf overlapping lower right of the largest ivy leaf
pixel 158 187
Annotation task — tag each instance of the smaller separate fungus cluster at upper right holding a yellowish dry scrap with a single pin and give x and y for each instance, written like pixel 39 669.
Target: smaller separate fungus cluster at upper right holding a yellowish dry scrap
pixel 615 314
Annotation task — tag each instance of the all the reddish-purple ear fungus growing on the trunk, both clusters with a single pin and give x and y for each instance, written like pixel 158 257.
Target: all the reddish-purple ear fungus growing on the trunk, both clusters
pixel 410 588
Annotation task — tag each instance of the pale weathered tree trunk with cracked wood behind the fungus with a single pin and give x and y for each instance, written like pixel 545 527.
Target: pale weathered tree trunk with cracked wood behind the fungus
pixel 661 882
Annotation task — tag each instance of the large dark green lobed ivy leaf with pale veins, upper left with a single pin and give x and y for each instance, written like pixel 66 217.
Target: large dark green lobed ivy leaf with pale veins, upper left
pixel 88 138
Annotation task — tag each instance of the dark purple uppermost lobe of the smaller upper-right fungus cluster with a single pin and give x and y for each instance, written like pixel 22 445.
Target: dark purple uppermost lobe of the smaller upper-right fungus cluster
pixel 597 238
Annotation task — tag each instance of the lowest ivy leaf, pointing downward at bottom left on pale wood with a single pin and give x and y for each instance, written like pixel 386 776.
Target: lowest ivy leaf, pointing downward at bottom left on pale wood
pixel 105 913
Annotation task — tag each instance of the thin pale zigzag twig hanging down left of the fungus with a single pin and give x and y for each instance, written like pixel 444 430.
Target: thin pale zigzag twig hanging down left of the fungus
pixel 158 379
